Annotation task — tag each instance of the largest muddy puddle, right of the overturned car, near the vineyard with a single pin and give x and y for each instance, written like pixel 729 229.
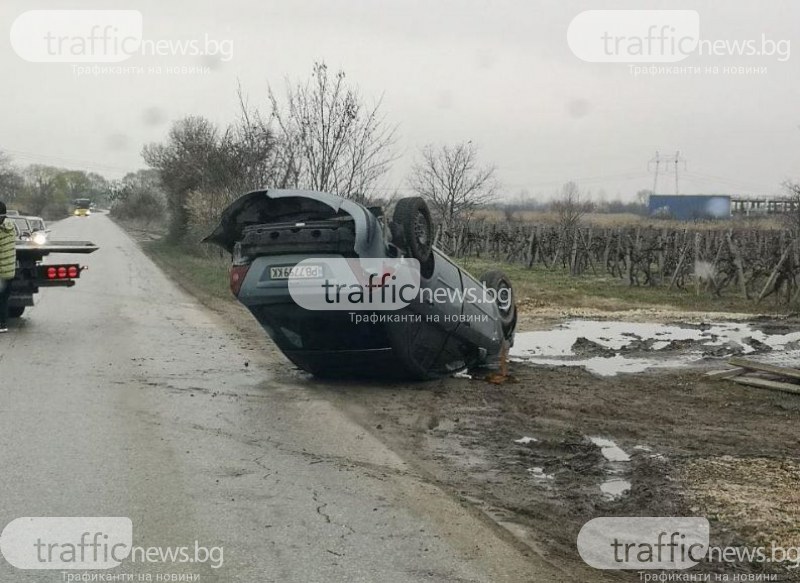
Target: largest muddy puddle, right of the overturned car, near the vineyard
pixel 609 348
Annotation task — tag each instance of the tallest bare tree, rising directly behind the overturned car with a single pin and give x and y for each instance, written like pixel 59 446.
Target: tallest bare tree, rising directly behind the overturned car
pixel 329 139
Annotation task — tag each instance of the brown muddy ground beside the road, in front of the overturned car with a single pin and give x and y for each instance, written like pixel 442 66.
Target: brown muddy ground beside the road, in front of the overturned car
pixel 697 447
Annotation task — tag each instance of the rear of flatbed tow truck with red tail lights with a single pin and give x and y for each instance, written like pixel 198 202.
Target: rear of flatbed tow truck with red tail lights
pixel 32 274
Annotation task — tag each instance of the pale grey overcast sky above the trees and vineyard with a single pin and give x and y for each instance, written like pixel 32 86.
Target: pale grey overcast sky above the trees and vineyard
pixel 499 73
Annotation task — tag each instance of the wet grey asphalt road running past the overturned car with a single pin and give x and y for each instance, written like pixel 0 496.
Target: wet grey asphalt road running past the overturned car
pixel 124 397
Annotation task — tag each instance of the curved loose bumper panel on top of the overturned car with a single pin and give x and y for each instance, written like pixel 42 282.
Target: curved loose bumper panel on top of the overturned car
pixel 273 205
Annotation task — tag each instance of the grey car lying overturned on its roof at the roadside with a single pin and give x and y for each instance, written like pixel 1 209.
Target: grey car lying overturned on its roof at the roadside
pixel 288 244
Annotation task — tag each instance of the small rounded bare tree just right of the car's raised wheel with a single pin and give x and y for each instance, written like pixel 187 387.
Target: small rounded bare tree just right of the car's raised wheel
pixel 453 181
